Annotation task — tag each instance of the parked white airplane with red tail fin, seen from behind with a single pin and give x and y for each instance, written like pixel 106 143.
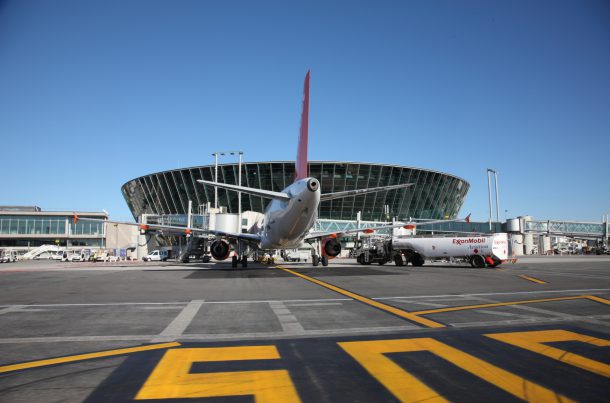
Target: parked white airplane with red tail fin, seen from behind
pixel 290 215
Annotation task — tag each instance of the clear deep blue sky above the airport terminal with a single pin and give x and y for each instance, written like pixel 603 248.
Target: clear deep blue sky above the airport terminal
pixel 95 93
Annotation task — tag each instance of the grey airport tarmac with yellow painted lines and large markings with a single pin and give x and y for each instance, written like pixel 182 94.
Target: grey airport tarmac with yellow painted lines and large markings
pixel 535 330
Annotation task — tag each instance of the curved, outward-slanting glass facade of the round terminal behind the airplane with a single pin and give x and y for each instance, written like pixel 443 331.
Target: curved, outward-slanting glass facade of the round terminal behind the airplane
pixel 434 195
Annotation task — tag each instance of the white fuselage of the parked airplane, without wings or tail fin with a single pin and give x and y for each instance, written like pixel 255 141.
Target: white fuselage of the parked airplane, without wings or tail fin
pixel 287 223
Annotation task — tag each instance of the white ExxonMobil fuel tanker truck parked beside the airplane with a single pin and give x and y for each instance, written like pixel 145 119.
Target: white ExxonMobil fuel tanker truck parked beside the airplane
pixel 479 250
